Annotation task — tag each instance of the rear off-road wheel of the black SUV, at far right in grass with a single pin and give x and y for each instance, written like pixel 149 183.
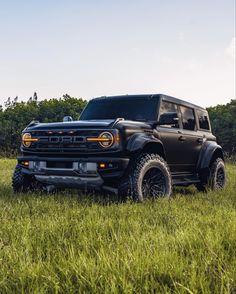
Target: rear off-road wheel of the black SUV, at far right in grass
pixel 216 177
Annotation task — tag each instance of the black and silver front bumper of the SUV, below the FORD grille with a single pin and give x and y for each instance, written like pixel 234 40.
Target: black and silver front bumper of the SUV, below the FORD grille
pixel 73 172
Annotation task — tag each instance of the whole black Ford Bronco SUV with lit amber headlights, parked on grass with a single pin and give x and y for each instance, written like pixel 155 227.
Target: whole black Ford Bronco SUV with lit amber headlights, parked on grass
pixel 137 145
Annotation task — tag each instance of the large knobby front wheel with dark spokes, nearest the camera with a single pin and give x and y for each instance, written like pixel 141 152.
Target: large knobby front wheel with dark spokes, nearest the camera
pixel 149 177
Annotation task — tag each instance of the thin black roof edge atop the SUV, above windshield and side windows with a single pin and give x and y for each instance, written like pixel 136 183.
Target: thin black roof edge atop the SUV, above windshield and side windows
pixel 150 96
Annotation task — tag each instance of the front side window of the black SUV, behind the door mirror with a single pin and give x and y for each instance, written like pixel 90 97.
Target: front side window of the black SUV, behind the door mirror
pixel 168 115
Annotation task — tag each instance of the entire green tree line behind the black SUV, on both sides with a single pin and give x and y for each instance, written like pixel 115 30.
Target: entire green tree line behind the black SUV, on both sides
pixel 15 116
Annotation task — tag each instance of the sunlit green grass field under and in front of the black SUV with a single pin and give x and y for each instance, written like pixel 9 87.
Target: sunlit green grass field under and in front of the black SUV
pixel 67 243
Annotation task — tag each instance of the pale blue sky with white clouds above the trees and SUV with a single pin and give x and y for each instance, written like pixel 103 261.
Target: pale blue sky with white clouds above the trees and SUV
pixel 182 48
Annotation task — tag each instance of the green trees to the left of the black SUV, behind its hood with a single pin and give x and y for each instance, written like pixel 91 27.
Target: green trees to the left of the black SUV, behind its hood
pixel 15 116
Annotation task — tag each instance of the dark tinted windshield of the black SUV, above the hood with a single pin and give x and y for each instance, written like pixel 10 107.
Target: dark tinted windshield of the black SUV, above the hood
pixel 140 109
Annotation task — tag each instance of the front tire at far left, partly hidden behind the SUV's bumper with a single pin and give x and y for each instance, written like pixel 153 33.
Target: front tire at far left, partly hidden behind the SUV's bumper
pixel 22 182
